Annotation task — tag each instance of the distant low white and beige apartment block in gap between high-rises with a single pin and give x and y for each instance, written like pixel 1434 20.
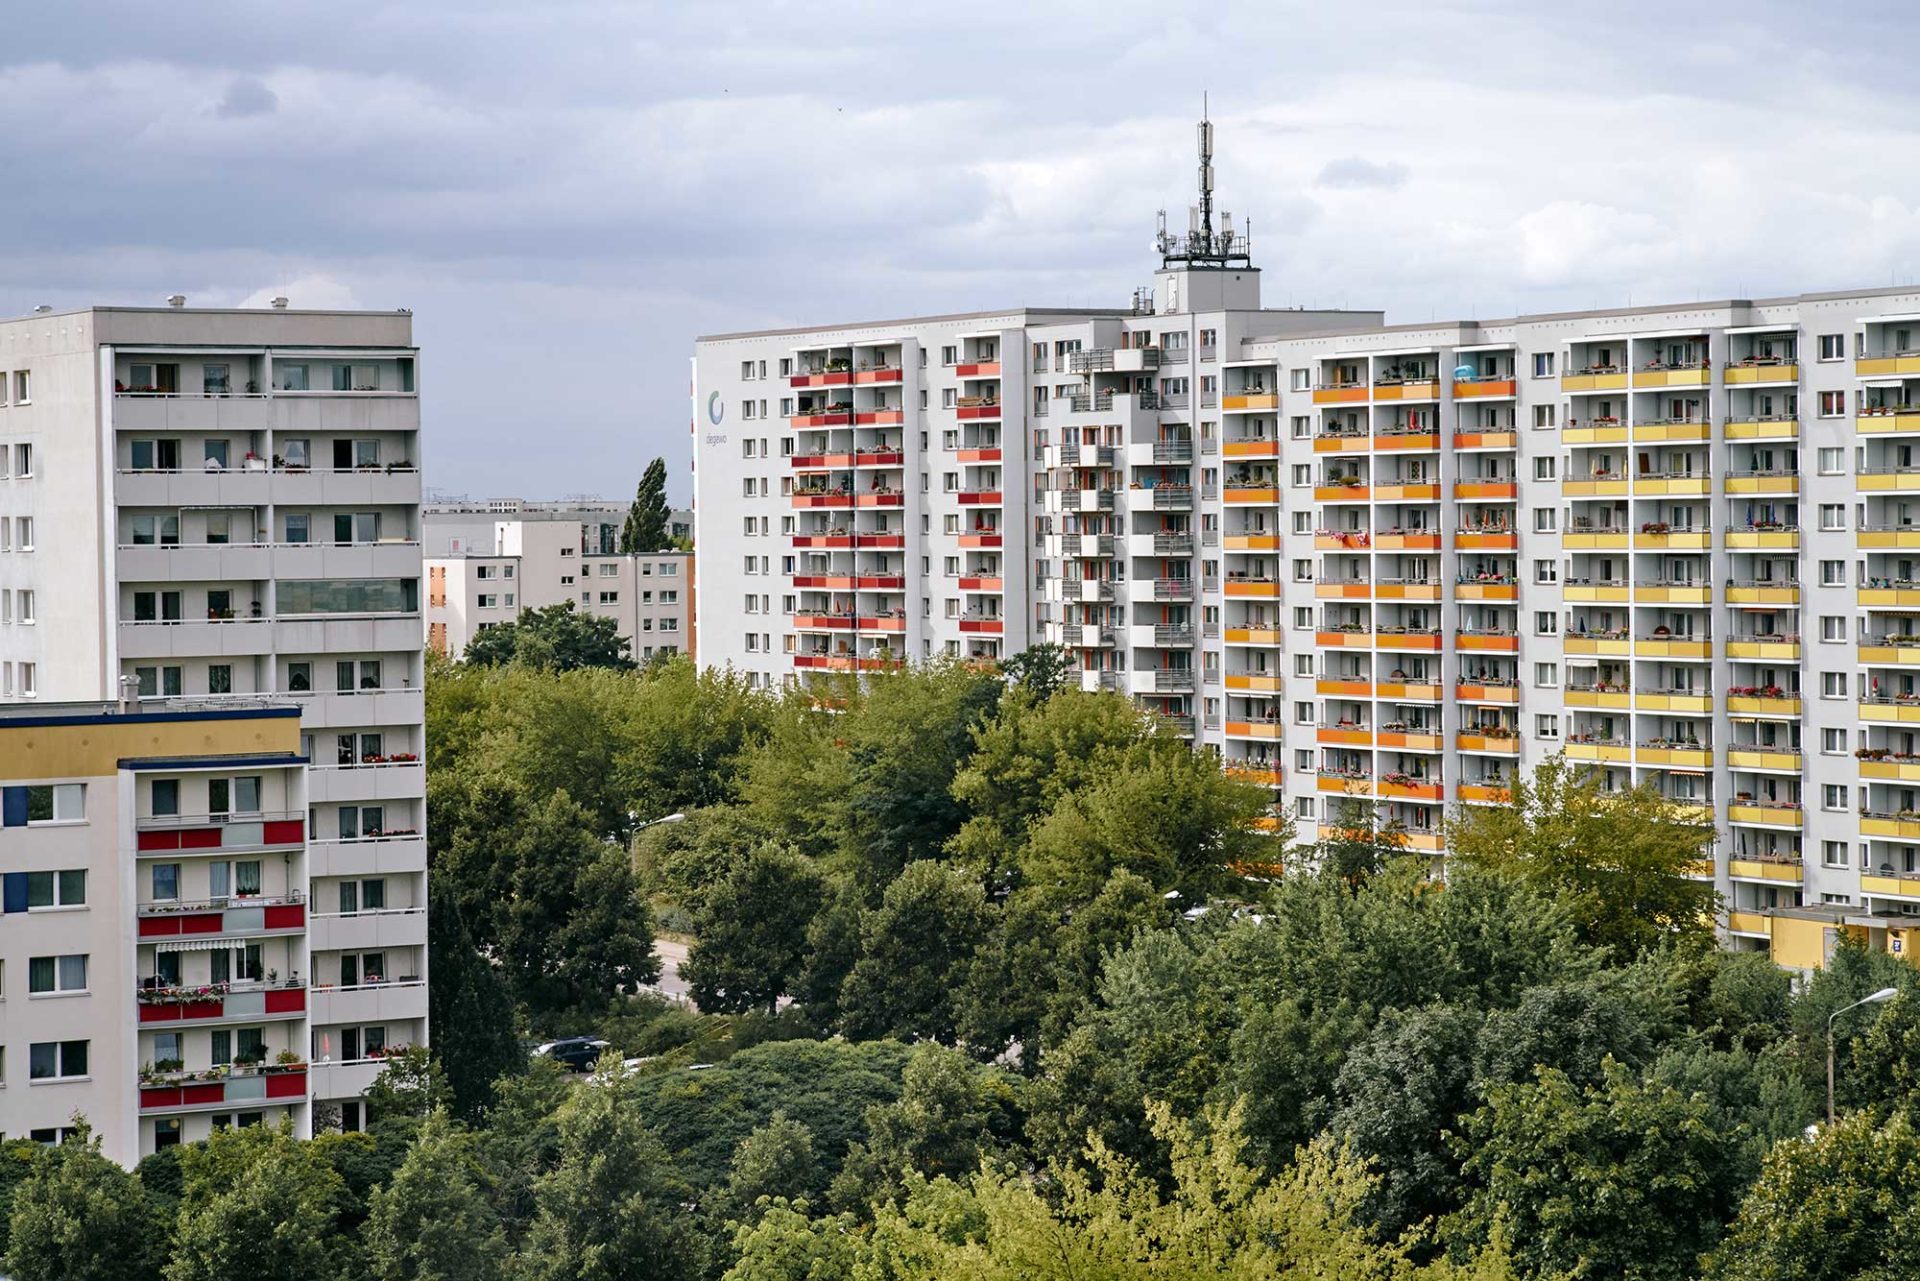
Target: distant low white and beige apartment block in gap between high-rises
pixel 489 562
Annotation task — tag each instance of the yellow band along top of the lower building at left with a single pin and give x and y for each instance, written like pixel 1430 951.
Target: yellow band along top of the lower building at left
pixel 95 750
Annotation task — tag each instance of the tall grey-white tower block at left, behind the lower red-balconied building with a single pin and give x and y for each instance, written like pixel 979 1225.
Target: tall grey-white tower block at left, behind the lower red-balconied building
pixel 222 508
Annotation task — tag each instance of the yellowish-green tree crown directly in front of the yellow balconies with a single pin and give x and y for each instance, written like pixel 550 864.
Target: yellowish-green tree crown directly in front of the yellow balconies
pixel 1621 859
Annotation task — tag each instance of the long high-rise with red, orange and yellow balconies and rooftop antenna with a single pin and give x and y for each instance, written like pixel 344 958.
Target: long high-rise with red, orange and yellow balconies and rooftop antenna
pixel 1381 566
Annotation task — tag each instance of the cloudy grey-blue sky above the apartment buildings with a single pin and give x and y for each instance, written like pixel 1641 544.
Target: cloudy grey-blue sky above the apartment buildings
pixel 569 191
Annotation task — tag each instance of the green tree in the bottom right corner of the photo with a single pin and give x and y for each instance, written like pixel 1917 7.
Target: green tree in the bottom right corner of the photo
pixel 1836 1207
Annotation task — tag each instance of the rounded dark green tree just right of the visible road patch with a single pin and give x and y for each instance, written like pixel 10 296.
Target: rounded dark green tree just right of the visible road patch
pixel 750 944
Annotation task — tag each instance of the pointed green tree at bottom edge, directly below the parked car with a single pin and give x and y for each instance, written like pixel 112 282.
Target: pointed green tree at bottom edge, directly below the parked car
pixel 612 1201
